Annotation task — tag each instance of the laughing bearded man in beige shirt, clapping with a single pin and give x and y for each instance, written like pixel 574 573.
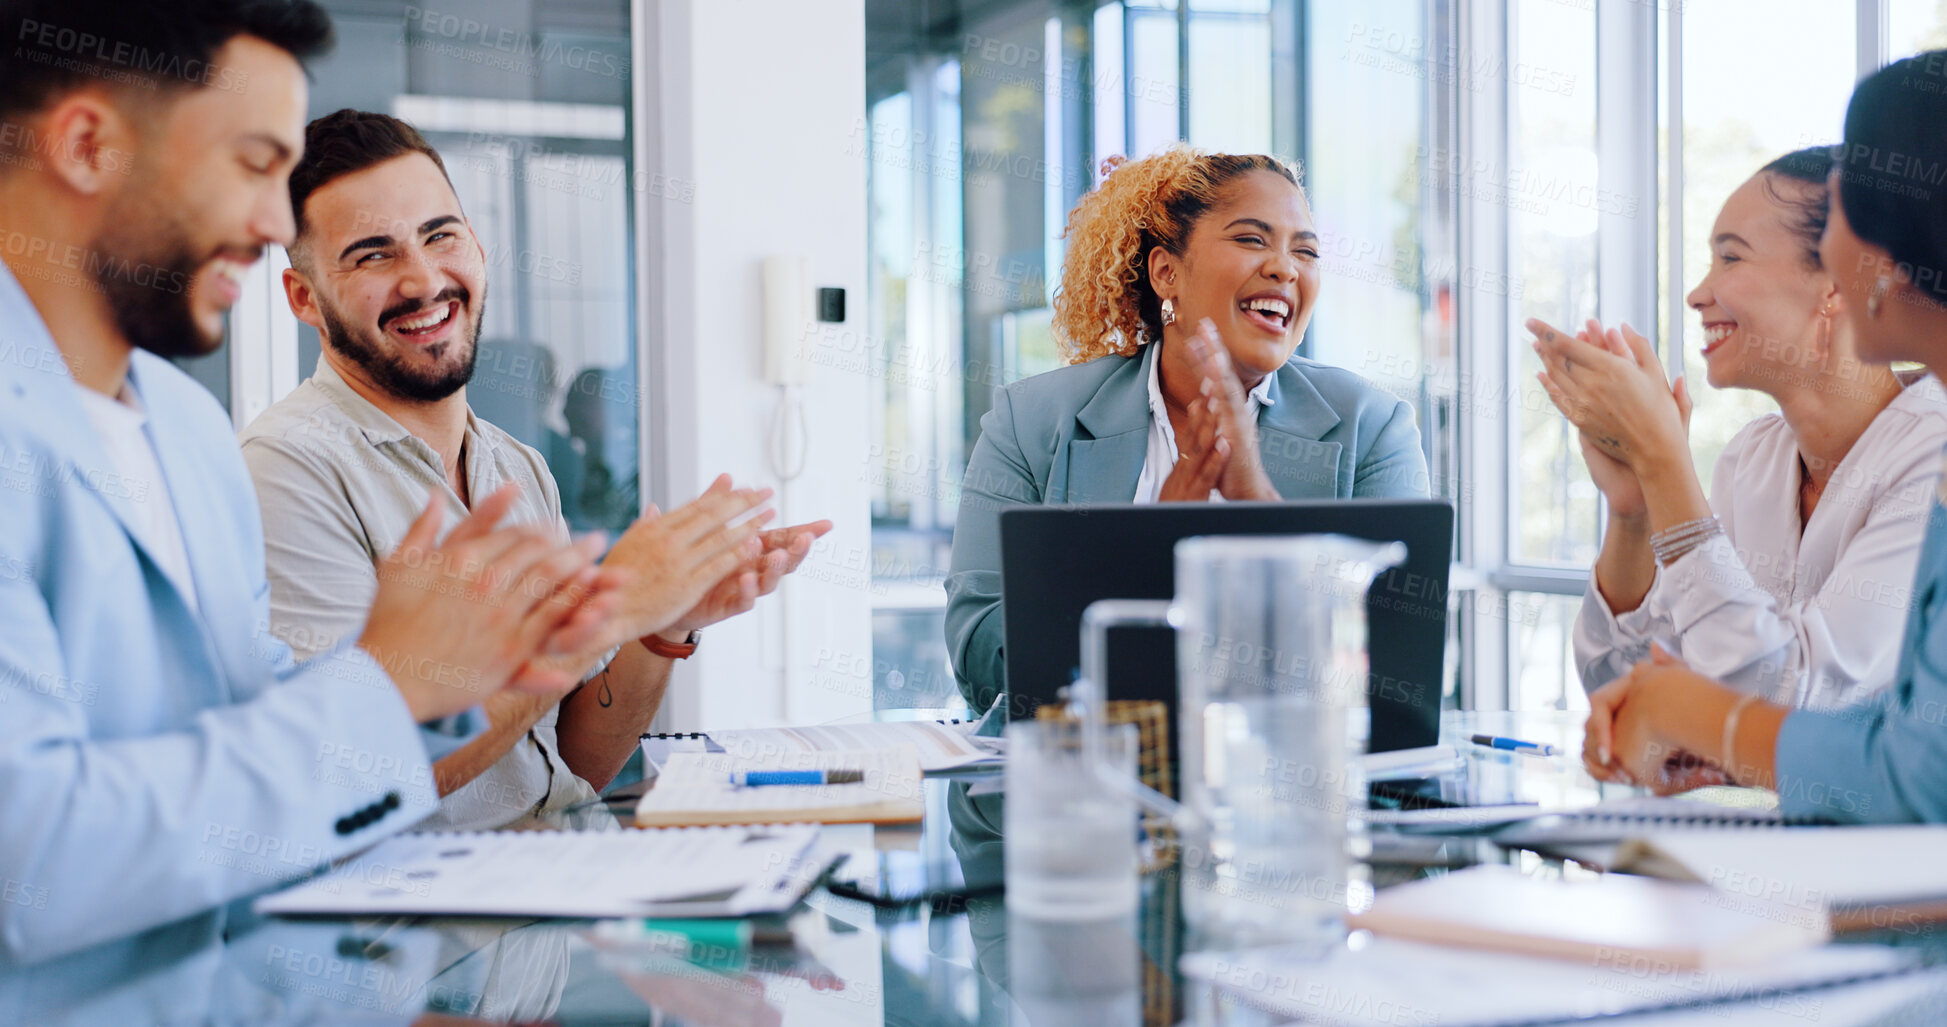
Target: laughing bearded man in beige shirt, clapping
pixel 388 270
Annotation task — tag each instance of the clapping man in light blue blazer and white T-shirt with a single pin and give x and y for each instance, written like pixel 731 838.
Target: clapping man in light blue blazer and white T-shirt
pixel 161 755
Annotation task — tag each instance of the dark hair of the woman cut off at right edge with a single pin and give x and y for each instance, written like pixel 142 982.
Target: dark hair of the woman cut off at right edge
pixel 1893 167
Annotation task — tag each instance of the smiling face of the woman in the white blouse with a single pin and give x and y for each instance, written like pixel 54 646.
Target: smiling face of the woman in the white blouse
pixel 1761 301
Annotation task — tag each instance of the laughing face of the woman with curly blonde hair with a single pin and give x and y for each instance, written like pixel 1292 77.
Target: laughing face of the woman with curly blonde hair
pixel 1251 266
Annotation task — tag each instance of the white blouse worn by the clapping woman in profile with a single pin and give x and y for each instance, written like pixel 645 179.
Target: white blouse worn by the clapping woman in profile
pixel 1841 644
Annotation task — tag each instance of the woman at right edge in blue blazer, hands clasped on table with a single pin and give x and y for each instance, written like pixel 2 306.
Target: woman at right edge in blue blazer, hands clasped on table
pixel 1886 247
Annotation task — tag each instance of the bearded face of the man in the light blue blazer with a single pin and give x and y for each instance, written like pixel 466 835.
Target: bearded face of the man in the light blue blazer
pixel 205 198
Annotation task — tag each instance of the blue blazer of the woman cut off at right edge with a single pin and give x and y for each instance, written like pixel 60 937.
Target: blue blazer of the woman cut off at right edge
pixel 1888 761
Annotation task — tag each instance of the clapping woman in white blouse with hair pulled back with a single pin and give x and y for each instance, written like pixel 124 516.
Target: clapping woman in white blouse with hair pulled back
pixel 1796 578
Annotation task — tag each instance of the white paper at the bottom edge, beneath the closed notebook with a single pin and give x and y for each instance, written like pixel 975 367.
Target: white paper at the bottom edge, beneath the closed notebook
pixel 1387 983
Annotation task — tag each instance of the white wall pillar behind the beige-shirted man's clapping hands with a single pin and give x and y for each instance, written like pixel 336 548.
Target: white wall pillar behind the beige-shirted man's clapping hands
pixel 756 108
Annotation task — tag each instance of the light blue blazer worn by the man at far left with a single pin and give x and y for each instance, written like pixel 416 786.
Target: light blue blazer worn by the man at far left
pixel 161 759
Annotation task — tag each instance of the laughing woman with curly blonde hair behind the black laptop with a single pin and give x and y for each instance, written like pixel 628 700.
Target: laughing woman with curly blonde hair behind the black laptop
pixel 1189 284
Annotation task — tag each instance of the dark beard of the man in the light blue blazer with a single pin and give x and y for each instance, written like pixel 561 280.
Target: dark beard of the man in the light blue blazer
pixel 145 268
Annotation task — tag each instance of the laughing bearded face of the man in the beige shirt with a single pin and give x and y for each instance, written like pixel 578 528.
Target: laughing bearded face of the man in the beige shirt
pixel 394 278
